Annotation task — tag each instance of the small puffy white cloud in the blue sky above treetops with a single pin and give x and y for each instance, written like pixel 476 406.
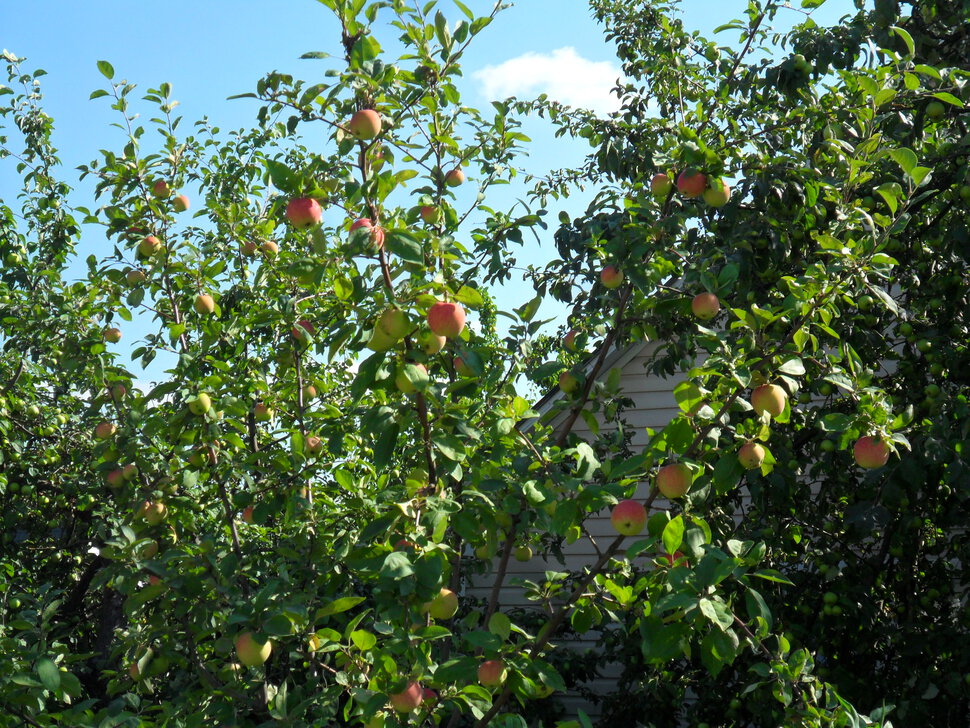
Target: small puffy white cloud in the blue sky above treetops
pixel 563 75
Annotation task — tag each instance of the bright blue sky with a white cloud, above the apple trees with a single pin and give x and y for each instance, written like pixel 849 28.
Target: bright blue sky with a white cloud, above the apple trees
pixel 211 49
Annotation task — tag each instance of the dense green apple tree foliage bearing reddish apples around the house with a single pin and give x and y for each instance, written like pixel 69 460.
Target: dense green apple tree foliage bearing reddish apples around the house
pixel 269 534
